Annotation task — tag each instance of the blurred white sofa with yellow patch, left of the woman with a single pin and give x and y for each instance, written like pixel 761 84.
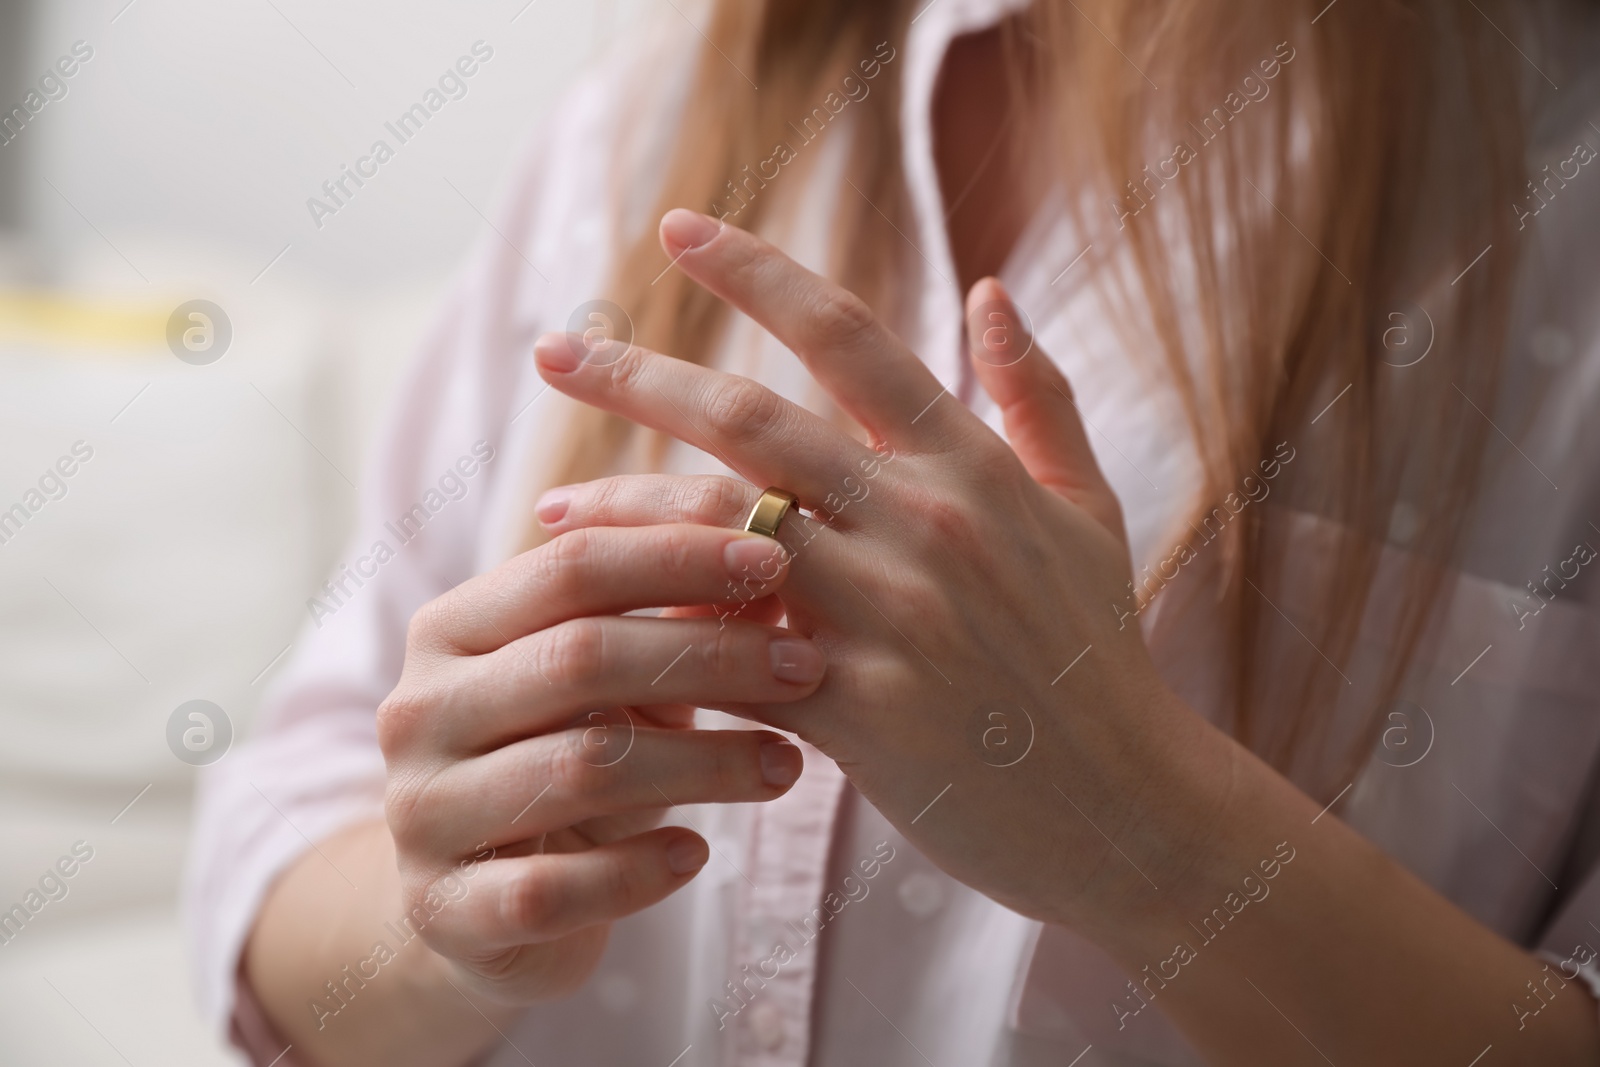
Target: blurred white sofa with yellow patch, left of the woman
pixel 174 564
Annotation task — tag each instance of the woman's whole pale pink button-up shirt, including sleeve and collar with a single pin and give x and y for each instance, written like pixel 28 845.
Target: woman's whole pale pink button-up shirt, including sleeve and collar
pixel 1495 805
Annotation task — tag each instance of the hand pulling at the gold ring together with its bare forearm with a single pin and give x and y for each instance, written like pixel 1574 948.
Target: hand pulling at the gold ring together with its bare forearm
pixel 519 825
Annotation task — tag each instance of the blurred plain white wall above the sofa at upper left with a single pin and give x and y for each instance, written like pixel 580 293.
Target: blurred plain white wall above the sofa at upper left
pixel 214 121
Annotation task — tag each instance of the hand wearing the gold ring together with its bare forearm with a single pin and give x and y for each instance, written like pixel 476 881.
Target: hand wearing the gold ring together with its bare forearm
pixel 946 575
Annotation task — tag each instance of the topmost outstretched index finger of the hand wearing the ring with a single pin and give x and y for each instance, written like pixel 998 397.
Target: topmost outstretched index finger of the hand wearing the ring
pixel 854 356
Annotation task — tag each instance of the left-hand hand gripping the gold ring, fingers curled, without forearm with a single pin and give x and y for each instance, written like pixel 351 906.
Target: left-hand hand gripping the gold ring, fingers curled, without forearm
pixel 492 745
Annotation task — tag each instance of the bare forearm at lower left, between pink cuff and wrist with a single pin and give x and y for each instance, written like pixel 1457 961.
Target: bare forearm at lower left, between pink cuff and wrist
pixel 316 929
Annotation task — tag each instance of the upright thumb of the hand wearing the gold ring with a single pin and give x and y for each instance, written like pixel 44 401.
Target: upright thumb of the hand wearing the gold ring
pixel 1036 402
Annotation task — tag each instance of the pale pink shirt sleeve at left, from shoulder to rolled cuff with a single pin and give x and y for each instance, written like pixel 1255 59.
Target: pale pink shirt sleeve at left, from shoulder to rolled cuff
pixel 431 514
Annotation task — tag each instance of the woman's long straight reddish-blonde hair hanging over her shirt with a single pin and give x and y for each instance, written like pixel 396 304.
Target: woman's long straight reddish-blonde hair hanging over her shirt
pixel 1388 151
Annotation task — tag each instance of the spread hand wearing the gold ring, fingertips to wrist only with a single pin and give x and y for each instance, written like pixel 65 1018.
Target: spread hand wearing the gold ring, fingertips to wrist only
pixel 985 692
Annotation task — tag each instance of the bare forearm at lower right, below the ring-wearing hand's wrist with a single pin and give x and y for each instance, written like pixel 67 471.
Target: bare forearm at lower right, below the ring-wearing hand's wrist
pixel 1338 954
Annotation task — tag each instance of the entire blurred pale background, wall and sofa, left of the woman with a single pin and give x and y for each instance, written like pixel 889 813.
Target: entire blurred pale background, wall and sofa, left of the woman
pixel 172 166
